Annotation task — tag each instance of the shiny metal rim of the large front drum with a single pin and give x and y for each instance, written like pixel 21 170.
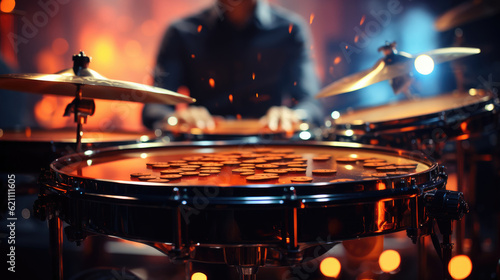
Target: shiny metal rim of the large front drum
pixel 278 195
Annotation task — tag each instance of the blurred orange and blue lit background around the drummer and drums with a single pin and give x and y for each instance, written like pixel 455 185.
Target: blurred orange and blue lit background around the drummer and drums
pixel 122 37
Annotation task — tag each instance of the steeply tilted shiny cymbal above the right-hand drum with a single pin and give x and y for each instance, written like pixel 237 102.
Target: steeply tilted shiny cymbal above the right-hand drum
pixel 383 71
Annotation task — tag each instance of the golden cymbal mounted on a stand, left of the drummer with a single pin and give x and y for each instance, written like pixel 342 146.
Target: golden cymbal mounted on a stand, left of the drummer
pixel 93 85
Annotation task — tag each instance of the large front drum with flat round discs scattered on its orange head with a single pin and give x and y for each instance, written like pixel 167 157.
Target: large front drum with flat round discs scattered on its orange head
pixel 301 196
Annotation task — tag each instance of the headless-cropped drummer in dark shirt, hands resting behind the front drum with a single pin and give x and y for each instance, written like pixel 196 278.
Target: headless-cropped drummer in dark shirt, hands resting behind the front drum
pixel 239 59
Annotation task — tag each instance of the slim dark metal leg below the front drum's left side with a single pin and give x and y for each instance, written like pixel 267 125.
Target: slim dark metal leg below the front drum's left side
pixel 56 242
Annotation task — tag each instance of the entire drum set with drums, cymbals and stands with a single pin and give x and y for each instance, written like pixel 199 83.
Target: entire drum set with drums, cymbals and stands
pixel 319 193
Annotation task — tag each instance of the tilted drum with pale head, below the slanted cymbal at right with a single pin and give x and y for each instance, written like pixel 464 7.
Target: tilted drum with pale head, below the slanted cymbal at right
pixel 413 123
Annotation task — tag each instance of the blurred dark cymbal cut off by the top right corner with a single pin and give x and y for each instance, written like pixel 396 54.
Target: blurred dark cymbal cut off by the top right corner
pixel 466 13
